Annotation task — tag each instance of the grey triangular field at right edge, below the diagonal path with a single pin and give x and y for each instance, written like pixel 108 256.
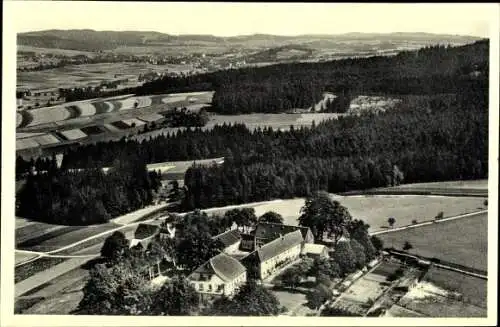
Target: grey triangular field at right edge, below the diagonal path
pixel 463 241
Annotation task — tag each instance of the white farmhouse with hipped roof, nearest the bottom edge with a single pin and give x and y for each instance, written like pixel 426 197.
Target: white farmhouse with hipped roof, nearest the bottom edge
pixel 221 275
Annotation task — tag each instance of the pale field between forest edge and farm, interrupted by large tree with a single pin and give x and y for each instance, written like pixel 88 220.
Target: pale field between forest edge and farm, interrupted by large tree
pixel 375 210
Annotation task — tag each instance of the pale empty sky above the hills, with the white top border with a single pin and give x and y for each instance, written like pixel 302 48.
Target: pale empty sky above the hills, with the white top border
pixel 226 19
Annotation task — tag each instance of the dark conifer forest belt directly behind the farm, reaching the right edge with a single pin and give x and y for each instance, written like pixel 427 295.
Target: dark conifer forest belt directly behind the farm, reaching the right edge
pixel 441 138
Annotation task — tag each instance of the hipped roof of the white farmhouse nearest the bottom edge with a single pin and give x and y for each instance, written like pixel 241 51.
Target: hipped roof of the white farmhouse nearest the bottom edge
pixel 224 266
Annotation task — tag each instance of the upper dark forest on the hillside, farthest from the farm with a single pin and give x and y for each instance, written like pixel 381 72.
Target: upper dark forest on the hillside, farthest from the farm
pixel 277 88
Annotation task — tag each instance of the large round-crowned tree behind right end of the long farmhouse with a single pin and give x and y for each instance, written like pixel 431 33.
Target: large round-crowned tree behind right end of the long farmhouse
pixel 323 215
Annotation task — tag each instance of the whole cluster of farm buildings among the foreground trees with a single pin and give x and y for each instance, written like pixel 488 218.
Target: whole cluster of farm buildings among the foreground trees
pixel 259 254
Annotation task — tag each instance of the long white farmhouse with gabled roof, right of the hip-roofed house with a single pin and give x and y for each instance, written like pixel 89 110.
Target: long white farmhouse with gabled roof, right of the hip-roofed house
pixel 270 257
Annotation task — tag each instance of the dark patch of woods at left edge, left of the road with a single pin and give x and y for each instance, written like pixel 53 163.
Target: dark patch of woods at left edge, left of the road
pixel 86 197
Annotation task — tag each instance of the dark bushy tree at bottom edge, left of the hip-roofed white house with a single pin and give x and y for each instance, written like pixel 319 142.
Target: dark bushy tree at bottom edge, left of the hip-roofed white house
pixel 175 298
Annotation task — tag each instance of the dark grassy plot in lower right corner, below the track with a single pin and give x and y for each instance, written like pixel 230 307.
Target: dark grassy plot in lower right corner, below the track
pixel 473 289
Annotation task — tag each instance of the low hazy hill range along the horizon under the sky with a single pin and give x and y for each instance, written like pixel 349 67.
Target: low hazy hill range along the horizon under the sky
pixel 90 40
